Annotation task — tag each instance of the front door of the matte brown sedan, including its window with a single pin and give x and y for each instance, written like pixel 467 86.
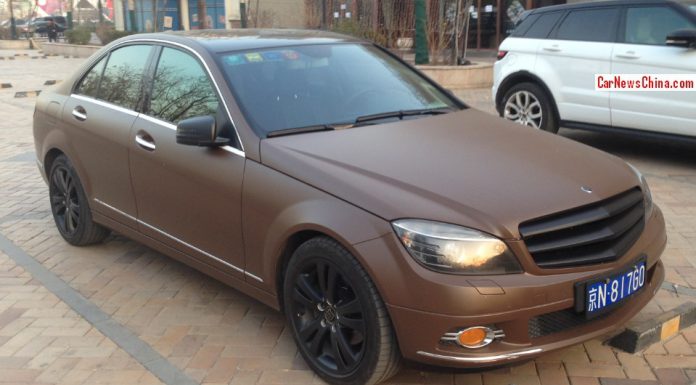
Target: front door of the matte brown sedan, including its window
pixel 188 197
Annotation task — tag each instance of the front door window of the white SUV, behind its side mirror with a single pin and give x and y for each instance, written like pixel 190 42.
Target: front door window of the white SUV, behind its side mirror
pixel 651 25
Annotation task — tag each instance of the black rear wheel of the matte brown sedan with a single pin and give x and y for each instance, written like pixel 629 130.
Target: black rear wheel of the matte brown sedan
pixel 69 206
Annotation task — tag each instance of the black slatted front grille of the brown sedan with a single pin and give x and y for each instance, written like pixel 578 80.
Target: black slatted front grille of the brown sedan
pixel 597 233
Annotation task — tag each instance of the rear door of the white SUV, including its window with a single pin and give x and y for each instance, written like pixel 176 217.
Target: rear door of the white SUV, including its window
pixel 579 47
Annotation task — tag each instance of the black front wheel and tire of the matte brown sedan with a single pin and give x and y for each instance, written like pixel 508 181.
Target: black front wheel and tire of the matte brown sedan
pixel 338 319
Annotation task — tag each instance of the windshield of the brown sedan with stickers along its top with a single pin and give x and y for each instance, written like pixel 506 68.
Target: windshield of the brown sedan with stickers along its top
pixel 301 86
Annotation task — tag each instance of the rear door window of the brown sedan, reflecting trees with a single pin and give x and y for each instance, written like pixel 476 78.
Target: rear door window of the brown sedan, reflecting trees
pixel 122 81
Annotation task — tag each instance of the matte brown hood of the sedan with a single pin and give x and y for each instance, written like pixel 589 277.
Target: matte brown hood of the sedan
pixel 466 168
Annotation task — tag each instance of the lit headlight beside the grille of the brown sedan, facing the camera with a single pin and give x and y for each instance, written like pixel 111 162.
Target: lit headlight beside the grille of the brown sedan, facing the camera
pixel 455 249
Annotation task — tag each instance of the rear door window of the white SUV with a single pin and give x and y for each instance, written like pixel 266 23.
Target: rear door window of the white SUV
pixel 597 25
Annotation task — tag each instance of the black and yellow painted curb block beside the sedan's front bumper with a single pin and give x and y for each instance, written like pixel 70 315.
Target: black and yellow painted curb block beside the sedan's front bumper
pixel 661 328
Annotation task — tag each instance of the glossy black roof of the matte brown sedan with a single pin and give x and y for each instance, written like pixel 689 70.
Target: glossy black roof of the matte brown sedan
pixel 243 39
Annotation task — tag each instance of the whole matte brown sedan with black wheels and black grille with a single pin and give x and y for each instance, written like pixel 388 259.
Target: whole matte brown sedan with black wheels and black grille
pixel 329 180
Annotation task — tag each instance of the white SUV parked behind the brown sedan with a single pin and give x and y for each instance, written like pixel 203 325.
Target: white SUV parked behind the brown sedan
pixel 545 75
